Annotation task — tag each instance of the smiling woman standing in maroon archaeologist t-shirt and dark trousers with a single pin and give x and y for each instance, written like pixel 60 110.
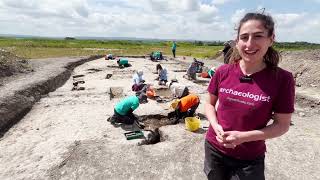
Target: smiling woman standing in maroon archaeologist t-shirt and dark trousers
pixel 250 90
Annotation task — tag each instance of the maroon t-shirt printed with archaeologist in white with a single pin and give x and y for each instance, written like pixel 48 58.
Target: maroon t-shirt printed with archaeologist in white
pixel 245 106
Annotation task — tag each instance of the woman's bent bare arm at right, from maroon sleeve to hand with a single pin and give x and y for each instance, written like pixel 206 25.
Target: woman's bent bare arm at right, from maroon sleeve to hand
pixel 279 126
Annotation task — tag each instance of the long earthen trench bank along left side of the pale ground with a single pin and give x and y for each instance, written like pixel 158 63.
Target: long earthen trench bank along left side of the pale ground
pixel 15 105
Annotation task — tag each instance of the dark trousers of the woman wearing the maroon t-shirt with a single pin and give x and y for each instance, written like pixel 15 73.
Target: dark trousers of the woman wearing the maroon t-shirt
pixel 218 166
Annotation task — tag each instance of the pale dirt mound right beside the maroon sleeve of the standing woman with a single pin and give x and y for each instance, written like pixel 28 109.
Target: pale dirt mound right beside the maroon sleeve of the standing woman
pixel 304 65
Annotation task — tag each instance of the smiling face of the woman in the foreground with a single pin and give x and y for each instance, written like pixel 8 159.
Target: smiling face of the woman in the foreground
pixel 253 41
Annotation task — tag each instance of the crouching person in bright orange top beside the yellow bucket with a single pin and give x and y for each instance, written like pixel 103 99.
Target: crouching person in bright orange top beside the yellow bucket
pixel 186 106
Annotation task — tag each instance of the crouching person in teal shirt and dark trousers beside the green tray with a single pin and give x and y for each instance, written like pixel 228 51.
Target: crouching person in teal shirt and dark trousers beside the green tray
pixel 123 110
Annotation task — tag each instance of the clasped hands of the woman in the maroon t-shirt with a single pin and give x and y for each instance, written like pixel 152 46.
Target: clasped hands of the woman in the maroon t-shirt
pixel 231 139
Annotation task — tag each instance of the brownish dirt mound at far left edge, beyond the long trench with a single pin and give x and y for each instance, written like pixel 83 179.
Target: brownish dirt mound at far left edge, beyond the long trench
pixel 11 64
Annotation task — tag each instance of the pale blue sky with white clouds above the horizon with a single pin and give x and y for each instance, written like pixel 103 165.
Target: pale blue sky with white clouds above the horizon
pixel 296 20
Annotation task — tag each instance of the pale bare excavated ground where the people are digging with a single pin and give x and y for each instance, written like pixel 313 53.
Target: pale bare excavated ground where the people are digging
pixel 66 135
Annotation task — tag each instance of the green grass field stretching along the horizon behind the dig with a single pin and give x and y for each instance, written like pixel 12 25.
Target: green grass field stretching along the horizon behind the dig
pixel 43 48
